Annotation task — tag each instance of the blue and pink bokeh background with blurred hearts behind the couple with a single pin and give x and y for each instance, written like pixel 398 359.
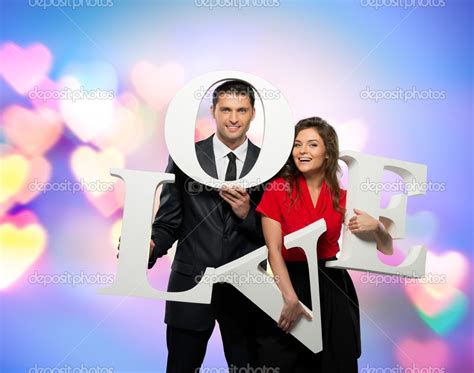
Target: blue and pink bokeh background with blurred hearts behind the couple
pixel 394 78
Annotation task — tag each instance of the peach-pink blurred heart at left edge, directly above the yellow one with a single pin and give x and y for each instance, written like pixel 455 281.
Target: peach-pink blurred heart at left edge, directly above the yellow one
pixel 32 132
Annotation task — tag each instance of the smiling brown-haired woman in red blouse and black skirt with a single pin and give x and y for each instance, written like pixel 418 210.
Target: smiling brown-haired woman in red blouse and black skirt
pixel 306 191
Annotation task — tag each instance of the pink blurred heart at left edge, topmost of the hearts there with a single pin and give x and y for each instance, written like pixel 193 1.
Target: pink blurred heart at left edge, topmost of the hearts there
pixel 23 68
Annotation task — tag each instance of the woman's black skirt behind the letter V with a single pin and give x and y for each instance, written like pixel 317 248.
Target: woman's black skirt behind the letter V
pixel 340 323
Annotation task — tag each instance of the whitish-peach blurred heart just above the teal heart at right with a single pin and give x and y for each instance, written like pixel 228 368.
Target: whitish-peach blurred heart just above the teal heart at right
pixel 445 274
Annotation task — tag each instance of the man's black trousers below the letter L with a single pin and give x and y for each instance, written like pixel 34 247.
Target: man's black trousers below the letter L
pixel 236 317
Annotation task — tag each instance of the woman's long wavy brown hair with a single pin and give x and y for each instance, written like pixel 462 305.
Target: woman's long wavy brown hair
pixel 331 166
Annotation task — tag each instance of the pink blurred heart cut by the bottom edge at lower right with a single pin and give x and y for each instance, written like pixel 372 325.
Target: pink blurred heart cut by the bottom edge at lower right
pixel 420 355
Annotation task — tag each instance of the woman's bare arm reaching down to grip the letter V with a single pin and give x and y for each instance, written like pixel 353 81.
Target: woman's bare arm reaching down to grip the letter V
pixel 292 309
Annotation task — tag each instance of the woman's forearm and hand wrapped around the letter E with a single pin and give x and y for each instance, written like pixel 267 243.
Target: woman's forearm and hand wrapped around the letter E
pixel 363 222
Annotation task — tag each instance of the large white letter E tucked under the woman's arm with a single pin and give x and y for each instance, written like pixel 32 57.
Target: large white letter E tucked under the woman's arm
pixel 360 253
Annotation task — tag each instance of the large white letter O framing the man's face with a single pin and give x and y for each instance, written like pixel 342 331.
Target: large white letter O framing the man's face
pixel 180 126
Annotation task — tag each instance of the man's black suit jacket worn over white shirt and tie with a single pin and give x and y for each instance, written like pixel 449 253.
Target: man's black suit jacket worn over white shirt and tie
pixel 208 234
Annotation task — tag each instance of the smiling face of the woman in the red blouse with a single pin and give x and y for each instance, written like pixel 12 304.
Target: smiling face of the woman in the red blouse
pixel 309 151
